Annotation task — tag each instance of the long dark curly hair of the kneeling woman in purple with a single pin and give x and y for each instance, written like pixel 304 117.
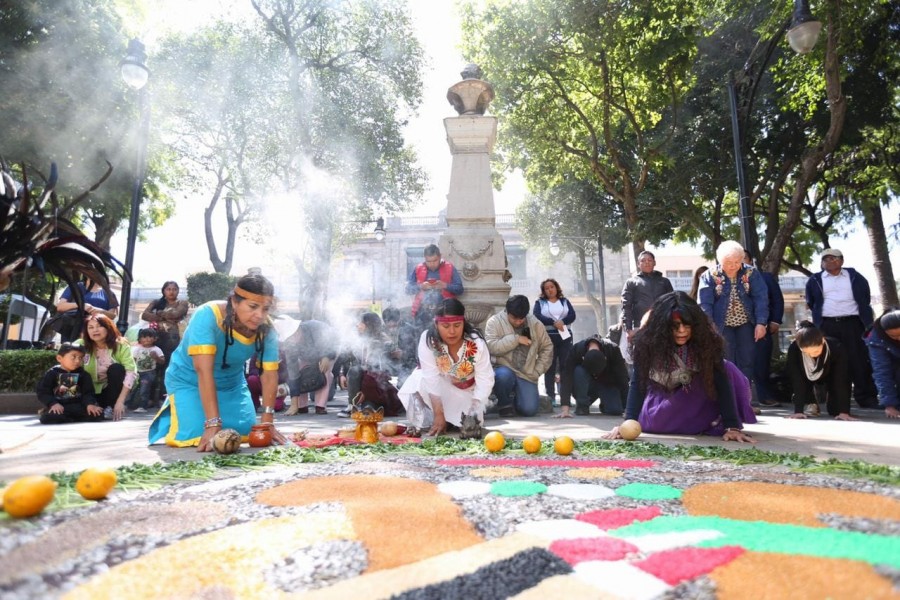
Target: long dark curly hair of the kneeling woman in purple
pixel 655 347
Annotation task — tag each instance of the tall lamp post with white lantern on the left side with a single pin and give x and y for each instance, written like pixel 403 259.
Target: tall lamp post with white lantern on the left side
pixel 136 75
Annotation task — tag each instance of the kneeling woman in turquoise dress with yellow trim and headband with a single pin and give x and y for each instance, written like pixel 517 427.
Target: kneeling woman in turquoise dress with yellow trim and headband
pixel 205 380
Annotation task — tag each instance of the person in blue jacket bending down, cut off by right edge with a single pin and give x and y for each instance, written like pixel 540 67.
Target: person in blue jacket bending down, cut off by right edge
pixel 883 343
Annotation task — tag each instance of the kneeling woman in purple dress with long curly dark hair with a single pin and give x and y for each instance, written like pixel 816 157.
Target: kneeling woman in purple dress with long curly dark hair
pixel 681 382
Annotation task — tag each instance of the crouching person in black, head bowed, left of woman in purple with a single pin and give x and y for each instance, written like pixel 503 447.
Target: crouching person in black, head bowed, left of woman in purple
pixel 594 369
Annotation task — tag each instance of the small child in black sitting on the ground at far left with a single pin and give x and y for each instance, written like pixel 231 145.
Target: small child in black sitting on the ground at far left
pixel 66 391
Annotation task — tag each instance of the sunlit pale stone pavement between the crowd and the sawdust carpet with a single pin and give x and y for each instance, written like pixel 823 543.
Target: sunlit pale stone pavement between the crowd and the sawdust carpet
pixel 28 448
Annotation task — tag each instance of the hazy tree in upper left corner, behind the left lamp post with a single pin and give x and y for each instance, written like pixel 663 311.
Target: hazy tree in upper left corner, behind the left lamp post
pixel 64 101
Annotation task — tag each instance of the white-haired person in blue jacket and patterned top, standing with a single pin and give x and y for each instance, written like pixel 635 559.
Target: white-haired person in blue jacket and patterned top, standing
pixel 734 295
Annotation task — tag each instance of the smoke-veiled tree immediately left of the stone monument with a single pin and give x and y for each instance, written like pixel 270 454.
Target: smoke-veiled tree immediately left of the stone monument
pixel 352 73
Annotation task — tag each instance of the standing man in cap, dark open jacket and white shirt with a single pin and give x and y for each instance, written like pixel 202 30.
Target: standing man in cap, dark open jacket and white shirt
pixel 841 305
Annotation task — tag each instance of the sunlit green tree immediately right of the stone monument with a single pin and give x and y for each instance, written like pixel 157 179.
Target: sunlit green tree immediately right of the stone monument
pixel 582 89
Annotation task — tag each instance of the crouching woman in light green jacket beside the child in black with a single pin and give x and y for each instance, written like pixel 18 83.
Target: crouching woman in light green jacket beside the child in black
pixel 109 362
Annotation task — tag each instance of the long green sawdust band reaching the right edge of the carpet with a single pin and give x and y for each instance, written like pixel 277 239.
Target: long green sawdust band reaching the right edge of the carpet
pixel 761 536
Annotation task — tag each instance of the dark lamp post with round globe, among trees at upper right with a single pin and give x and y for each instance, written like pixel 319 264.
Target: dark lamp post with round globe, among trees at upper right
pixel 802 33
